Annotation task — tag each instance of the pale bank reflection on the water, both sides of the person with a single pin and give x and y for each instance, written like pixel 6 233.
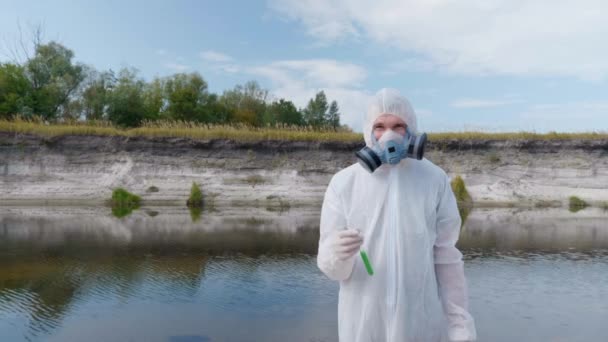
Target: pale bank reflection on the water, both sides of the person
pixel 258 231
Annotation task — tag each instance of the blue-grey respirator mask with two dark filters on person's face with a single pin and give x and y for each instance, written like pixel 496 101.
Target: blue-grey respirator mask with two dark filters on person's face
pixel 391 149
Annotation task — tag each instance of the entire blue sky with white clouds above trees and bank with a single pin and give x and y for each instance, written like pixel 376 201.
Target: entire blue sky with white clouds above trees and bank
pixel 484 65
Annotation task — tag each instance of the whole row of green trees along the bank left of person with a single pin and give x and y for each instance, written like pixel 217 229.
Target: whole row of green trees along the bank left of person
pixel 51 85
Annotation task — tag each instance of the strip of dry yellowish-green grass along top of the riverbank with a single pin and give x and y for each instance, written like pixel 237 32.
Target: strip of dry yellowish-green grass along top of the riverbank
pixel 241 132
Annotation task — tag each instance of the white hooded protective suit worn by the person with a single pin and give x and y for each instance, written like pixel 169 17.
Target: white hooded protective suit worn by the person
pixel 409 221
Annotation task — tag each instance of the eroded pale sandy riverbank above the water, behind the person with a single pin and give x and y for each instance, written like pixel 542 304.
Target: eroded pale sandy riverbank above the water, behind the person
pixel 279 174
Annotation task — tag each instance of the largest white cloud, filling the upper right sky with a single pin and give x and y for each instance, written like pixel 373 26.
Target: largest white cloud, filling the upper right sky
pixel 542 37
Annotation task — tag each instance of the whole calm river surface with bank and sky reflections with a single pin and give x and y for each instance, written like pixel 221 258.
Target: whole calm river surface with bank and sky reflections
pixel 73 274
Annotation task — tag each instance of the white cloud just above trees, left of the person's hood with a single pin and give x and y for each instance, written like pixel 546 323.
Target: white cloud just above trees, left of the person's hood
pixel 300 80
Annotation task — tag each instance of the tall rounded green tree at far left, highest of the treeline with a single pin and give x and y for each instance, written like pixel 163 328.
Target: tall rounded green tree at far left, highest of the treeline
pixel 53 78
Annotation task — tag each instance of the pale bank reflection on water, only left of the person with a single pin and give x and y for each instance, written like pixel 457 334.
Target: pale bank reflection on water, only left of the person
pixel 78 230
